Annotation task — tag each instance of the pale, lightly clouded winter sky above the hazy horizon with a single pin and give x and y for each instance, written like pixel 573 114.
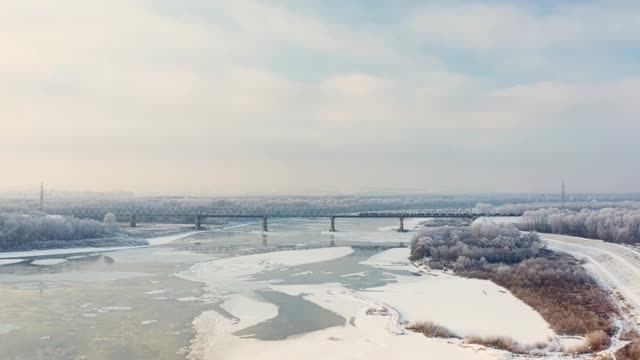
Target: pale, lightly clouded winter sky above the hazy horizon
pixel 202 97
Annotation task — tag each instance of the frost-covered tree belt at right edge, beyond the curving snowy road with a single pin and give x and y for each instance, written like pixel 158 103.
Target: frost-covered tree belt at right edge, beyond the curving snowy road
pixel 617 225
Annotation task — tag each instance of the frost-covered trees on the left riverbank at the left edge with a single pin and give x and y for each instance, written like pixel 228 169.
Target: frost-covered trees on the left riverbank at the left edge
pixel 40 231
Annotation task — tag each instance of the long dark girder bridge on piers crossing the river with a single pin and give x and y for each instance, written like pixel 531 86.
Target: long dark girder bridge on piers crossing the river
pixel 200 214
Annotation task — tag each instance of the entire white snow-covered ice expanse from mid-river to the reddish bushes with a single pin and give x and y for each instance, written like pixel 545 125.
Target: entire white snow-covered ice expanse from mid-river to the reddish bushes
pixel 375 318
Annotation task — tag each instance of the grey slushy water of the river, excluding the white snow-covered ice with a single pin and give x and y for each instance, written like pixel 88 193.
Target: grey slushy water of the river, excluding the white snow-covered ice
pixel 130 304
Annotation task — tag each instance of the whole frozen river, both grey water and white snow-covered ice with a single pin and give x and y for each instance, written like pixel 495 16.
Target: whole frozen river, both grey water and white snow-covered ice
pixel 239 293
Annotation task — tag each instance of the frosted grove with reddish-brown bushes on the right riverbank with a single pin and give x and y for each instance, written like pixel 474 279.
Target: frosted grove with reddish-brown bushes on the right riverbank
pixel 556 286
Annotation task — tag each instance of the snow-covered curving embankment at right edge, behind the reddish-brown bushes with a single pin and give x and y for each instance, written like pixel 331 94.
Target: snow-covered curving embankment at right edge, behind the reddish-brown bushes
pixel 617 266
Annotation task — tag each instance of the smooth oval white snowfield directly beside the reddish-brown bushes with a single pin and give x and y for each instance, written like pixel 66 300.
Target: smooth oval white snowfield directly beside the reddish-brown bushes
pixel 461 305
